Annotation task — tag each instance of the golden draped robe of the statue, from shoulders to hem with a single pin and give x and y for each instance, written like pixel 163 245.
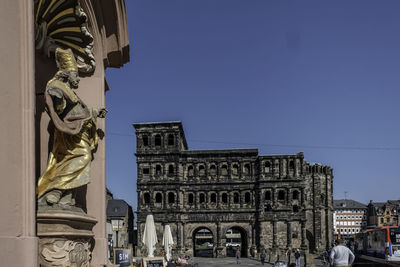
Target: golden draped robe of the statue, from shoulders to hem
pixel 74 139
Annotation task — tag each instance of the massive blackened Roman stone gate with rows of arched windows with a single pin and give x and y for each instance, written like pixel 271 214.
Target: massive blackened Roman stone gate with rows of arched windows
pixel 271 203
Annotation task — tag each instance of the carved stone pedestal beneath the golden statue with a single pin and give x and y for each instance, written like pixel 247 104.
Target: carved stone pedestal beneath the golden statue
pixel 65 238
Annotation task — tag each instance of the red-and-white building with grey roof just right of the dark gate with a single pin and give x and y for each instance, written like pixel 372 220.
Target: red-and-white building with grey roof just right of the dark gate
pixel 349 218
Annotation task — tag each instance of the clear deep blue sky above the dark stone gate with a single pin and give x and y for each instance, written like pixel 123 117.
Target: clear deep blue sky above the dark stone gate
pixel 320 77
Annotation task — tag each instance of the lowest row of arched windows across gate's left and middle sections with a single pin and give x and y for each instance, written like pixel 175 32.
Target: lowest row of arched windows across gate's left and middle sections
pixel 199 198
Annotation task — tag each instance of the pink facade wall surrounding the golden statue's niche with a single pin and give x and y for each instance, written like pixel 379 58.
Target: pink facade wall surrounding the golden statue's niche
pixel 24 137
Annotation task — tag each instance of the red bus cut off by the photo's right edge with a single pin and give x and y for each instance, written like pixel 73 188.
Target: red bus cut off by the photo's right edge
pixel 381 242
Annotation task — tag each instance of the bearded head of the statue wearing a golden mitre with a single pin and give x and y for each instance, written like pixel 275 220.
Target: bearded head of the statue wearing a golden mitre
pixel 68 69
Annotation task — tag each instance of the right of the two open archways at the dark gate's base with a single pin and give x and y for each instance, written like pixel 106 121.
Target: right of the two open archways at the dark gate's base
pixel 236 239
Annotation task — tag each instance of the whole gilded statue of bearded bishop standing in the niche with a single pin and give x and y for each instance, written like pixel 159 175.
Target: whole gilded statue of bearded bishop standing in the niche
pixel 74 139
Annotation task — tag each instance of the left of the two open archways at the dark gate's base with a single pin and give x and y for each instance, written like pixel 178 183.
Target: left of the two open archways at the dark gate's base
pixel 203 243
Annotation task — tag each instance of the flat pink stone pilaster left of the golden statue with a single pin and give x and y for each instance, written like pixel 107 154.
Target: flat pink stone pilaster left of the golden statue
pixel 18 241
